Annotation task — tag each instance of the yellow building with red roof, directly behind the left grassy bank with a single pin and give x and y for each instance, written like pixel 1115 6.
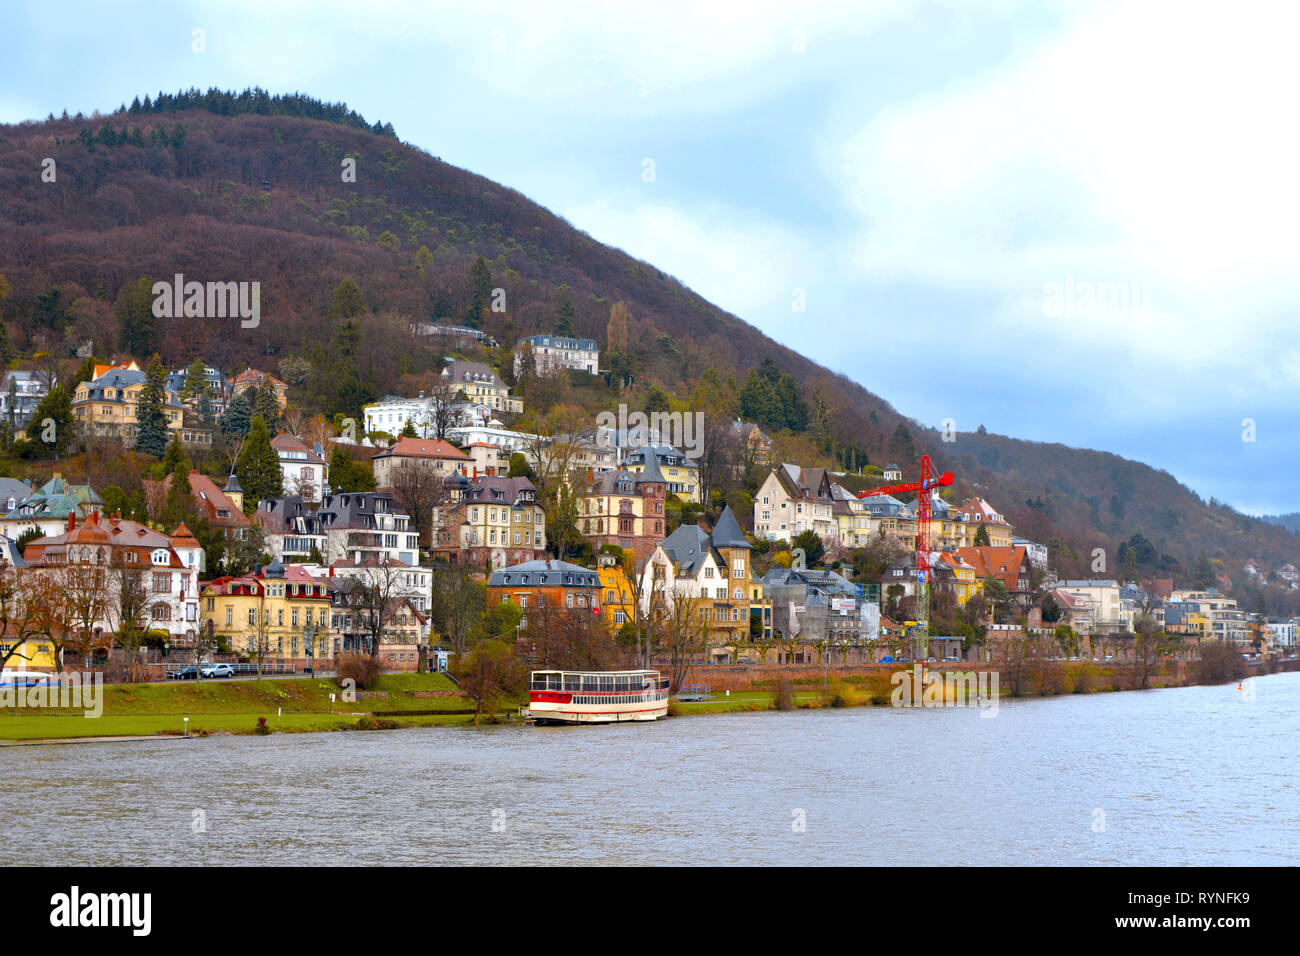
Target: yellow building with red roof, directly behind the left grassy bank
pixel 283 613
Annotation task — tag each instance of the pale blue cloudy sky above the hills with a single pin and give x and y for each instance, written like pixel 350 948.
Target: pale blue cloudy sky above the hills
pixel 1065 222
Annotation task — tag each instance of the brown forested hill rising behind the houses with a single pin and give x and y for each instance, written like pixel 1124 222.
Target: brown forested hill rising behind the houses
pixel 255 188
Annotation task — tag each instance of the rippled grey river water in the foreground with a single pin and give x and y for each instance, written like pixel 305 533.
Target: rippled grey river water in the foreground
pixel 1188 776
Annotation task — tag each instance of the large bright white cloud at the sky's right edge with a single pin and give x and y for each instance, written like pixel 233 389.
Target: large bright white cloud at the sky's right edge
pixel 1147 148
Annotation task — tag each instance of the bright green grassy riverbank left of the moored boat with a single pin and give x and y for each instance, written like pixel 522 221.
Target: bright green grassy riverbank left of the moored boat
pixel 235 707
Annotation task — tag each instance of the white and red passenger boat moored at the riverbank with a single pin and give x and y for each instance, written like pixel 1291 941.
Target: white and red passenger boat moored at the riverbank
pixel 597 697
